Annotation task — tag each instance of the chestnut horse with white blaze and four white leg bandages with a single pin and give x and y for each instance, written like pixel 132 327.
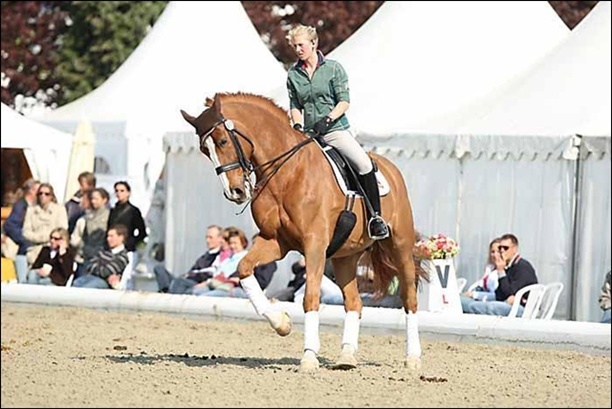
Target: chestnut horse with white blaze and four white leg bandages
pixel 295 202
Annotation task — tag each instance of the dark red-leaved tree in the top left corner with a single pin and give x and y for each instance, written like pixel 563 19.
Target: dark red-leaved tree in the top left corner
pixel 30 31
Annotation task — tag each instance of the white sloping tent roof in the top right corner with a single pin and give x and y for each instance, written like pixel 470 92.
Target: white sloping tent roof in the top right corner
pixel 568 91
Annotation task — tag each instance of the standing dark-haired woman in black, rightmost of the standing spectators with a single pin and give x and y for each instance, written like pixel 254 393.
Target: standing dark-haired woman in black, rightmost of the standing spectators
pixel 128 215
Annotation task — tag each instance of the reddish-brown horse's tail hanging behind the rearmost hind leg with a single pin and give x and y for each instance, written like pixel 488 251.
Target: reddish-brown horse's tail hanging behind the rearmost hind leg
pixel 385 269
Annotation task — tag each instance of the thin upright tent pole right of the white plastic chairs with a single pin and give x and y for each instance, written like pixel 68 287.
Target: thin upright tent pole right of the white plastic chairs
pixel 576 205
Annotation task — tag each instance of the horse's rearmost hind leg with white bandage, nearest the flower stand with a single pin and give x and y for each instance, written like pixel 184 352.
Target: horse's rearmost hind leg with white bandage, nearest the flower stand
pixel 402 254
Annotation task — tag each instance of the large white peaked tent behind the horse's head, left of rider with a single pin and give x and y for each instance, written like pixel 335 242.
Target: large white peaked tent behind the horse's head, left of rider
pixel 194 50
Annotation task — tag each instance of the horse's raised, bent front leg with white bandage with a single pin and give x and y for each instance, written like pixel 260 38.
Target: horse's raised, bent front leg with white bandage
pixel 263 251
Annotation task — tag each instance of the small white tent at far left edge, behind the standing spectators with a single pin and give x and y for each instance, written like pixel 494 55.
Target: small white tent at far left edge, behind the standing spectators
pixel 46 149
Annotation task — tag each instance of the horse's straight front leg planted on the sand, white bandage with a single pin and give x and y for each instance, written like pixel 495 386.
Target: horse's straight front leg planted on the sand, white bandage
pixel 315 264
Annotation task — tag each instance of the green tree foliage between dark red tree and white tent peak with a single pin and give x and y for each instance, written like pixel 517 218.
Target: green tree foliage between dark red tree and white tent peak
pixel 100 37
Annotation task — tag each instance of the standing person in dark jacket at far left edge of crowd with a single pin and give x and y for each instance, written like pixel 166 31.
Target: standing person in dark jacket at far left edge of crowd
pixel 13 229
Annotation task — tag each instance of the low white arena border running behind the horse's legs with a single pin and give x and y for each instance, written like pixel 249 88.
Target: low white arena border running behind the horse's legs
pixel 583 336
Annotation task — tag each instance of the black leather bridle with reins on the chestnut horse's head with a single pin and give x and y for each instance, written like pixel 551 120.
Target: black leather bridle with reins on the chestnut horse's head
pixel 245 164
